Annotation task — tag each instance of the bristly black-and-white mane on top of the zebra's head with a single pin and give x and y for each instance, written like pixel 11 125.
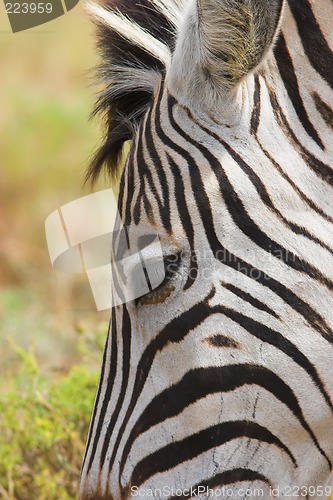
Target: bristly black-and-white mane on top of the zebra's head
pixel 135 39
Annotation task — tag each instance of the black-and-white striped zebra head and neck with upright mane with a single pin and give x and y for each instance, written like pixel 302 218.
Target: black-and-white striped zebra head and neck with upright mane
pixel 219 381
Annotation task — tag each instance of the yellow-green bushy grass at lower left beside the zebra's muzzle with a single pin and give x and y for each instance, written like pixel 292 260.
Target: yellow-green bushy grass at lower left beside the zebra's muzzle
pixel 44 422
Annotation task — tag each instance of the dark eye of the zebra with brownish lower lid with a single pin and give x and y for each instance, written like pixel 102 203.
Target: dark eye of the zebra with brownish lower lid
pixel 163 290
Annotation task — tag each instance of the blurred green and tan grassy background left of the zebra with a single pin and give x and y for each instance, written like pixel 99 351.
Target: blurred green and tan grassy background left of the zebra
pixel 51 335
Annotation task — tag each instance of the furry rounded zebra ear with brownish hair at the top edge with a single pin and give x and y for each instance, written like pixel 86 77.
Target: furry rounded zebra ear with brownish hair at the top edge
pixel 221 42
